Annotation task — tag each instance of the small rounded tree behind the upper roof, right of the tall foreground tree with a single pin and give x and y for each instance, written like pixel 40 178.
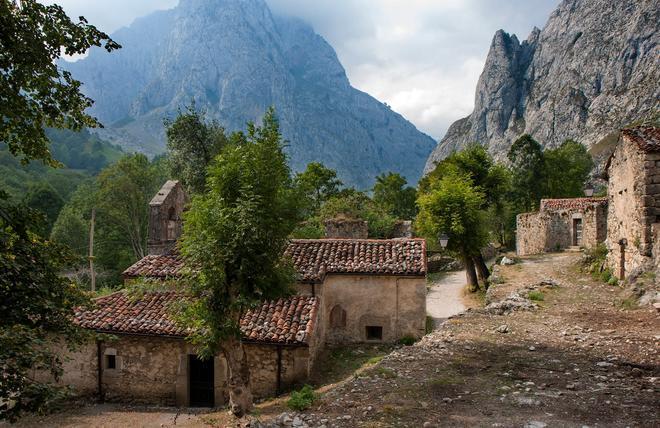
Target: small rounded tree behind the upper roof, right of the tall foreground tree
pixel 317 184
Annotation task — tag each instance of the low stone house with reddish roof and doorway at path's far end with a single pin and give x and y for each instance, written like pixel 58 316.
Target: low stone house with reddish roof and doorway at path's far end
pixel 560 224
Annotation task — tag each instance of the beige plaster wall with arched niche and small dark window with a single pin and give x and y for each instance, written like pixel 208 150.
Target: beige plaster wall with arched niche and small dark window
pixel 352 302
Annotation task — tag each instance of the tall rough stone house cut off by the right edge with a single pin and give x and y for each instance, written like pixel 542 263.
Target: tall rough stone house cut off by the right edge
pixel 633 230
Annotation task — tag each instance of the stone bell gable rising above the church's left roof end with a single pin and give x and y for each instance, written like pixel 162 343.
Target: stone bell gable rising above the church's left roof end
pixel 165 222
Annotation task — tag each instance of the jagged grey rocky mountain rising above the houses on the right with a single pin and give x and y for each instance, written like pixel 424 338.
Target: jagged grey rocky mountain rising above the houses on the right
pixel 593 69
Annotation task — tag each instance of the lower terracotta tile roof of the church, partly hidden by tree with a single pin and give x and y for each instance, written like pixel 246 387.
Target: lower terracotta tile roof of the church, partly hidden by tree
pixel 285 321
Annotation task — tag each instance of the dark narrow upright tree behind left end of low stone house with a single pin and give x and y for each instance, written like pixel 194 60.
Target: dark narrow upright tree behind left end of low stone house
pixel 527 166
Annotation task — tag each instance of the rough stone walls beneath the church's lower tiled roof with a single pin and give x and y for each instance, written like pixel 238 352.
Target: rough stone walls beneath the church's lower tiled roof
pixel 154 370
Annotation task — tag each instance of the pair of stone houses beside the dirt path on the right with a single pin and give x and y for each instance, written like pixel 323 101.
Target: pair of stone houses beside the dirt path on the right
pixel 627 220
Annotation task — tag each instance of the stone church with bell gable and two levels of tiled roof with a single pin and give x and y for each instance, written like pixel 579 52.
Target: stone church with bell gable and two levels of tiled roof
pixel 350 290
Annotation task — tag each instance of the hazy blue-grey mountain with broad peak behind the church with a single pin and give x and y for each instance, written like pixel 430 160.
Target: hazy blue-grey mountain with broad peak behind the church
pixel 235 58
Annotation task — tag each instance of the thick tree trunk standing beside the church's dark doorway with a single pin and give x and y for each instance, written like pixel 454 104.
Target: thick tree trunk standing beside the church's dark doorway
pixel 240 396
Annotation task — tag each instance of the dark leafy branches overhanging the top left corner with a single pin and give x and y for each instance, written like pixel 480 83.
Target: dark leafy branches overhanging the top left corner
pixel 34 91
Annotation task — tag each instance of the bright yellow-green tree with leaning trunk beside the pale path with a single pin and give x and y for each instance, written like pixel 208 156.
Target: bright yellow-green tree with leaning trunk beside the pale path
pixel 452 205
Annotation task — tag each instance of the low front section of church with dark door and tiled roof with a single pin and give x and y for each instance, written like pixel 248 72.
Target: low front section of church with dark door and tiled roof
pixel 148 359
